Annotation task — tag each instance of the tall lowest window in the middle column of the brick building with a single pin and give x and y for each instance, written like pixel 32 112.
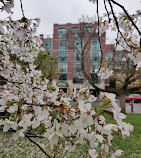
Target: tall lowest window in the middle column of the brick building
pixel 77 75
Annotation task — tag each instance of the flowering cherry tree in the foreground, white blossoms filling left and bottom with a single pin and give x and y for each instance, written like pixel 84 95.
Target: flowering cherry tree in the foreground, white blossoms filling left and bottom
pixel 30 107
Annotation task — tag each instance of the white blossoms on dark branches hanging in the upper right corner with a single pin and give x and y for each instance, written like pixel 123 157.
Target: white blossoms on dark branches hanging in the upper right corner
pixel 127 38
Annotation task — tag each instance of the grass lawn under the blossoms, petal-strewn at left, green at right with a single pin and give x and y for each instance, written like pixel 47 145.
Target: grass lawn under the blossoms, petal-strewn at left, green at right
pixel 22 148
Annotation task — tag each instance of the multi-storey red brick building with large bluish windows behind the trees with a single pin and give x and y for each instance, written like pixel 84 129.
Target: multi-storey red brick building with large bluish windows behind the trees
pixel 66 45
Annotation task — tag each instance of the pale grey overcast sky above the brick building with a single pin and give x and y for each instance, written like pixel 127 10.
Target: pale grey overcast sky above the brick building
pixel 62 11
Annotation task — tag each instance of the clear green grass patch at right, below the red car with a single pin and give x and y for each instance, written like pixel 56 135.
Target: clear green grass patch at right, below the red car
pixel 131 145
